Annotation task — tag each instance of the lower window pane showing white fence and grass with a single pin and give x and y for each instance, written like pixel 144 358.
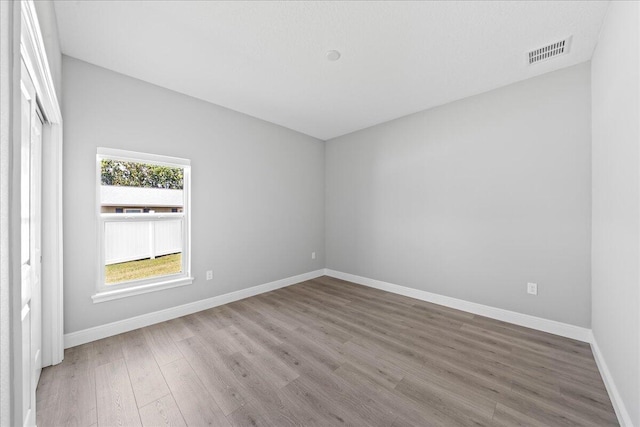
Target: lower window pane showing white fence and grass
pixel 136 250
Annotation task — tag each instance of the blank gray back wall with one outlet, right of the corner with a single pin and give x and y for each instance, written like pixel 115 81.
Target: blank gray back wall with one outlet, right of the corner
pixel 473 199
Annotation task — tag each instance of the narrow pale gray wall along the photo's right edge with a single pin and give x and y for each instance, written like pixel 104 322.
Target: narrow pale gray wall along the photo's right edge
pixel 616 200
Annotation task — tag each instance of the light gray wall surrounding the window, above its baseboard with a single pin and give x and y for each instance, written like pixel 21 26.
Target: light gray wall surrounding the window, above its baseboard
pixel 257 192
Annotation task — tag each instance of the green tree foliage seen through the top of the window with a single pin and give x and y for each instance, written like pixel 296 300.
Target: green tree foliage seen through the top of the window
pixel 134 174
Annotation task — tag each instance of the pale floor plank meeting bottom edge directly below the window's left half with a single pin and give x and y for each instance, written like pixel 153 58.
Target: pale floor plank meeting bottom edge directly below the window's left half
pixel 116 402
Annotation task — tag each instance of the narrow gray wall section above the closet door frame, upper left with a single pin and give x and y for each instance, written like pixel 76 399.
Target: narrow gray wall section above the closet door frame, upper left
pixel 49 28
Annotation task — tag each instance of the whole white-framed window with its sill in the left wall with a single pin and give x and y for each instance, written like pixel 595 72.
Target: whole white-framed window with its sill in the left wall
pixel 143 223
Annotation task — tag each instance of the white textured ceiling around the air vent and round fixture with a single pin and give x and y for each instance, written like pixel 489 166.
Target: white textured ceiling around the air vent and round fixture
pixel 267 59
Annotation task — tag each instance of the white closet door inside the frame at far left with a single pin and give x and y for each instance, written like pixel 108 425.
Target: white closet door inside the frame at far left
pixel 30 211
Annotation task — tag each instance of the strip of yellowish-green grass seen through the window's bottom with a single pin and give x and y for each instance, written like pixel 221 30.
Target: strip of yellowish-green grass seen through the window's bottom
pixel 143 269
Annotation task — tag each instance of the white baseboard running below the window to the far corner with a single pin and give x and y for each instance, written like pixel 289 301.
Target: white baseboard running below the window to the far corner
pixel 103 331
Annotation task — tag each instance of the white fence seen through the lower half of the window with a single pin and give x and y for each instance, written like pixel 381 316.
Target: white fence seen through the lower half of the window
pixel 135 240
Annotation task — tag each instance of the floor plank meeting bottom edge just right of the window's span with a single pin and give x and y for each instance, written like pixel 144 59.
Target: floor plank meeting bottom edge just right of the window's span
pixel 196 404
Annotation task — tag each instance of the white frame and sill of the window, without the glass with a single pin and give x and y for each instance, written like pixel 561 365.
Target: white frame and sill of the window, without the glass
pixel 106 292
